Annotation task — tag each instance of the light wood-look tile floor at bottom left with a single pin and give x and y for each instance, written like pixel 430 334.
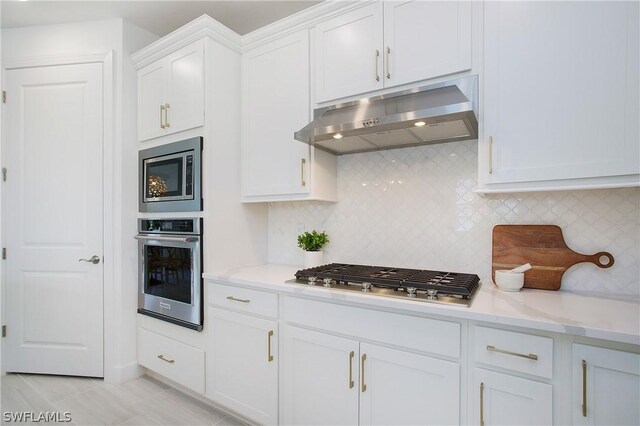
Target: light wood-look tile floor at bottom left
pixel 142 401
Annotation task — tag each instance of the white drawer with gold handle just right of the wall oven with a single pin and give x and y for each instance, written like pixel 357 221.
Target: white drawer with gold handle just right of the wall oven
pixel 244 300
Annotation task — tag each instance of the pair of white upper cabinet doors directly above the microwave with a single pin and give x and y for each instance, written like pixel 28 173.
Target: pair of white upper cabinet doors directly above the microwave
pixel 171 93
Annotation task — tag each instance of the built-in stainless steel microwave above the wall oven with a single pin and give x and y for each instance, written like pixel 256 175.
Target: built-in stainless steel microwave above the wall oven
pixel 170 177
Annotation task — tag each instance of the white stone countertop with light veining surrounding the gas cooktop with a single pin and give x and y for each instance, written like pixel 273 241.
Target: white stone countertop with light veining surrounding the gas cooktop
pixel 554 311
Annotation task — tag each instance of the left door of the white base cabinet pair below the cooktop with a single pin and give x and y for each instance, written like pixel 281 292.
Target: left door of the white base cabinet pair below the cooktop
pixel 321 379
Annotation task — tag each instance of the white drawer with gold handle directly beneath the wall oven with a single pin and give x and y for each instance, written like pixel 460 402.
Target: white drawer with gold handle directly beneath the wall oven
pixel 176 361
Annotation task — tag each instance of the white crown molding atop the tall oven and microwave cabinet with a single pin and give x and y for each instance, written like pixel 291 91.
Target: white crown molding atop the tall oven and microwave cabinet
pixel 204 26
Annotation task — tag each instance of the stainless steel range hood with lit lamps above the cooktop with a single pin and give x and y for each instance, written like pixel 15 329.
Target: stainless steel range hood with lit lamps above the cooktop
pixel 442 112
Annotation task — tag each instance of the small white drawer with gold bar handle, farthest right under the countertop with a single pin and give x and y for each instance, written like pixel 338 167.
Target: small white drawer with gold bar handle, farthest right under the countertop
pixel 520 352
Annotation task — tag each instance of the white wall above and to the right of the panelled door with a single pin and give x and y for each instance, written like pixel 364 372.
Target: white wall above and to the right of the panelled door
pixel 121 283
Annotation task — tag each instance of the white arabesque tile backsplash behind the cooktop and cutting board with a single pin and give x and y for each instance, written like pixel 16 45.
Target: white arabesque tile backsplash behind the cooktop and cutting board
pixel 415 207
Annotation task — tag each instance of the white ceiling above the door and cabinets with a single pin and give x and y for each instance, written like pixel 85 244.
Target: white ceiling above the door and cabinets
pixel 158 17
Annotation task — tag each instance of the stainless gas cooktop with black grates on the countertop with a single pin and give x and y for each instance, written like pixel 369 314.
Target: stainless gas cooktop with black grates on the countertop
pixel 409 284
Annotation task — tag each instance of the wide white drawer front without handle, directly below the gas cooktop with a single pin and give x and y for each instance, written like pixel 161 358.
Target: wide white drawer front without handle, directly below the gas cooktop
pixel 422 334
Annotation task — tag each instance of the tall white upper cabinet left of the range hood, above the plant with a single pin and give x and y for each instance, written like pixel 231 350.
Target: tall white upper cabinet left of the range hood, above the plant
pixel 275 104
